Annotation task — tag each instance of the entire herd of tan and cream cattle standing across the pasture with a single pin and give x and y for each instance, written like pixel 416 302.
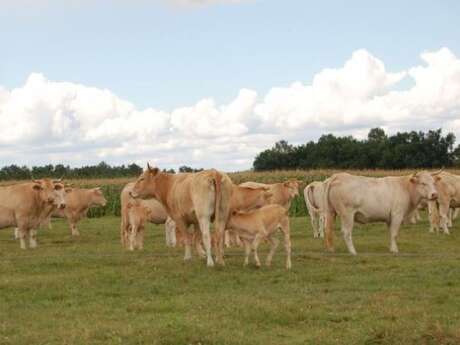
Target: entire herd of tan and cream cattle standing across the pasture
pixel 243 215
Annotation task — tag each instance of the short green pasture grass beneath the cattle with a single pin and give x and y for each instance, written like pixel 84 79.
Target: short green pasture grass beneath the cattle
pixel 89 291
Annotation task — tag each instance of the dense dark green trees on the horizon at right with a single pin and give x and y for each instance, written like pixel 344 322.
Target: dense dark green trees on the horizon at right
pixel 403 150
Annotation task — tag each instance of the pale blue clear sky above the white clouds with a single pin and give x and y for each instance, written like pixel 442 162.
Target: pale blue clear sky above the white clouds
pixel 166 56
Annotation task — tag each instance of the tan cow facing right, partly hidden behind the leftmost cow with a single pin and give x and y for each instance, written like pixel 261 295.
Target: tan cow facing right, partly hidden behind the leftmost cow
pixel 78 202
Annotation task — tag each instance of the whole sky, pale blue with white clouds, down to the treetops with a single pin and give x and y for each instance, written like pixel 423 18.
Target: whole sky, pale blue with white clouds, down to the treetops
pixel 210 83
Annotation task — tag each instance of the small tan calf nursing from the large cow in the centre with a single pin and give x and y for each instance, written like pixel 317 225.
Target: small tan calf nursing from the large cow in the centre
pixel 259 224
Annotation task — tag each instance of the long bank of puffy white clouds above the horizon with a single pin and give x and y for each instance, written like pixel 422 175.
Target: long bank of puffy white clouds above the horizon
pixel 47 121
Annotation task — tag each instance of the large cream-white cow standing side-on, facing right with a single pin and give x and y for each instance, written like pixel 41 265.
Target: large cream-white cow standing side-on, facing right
pixel 368 199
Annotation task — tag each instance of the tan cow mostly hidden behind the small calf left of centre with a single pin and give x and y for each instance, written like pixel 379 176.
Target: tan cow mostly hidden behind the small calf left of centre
pixel 157 215
